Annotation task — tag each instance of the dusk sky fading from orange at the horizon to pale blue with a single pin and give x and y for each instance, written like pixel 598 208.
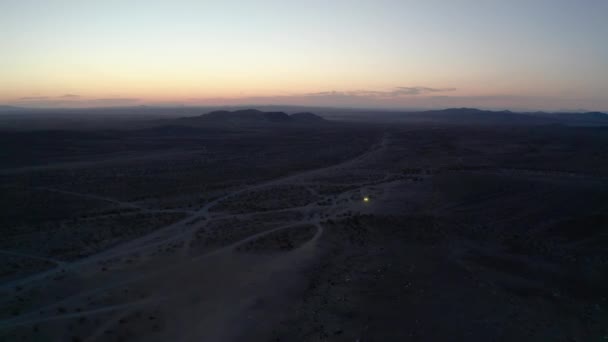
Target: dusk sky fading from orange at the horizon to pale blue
pixel 516 54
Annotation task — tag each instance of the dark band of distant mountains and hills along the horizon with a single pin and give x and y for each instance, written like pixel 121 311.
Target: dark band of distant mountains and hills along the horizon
pixel 273 115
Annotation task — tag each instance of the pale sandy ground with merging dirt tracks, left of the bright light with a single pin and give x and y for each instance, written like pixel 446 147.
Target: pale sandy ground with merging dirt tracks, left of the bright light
pixel 160 287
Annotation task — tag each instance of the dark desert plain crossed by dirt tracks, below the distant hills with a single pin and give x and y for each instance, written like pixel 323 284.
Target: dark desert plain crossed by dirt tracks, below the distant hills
pixel 192 230
